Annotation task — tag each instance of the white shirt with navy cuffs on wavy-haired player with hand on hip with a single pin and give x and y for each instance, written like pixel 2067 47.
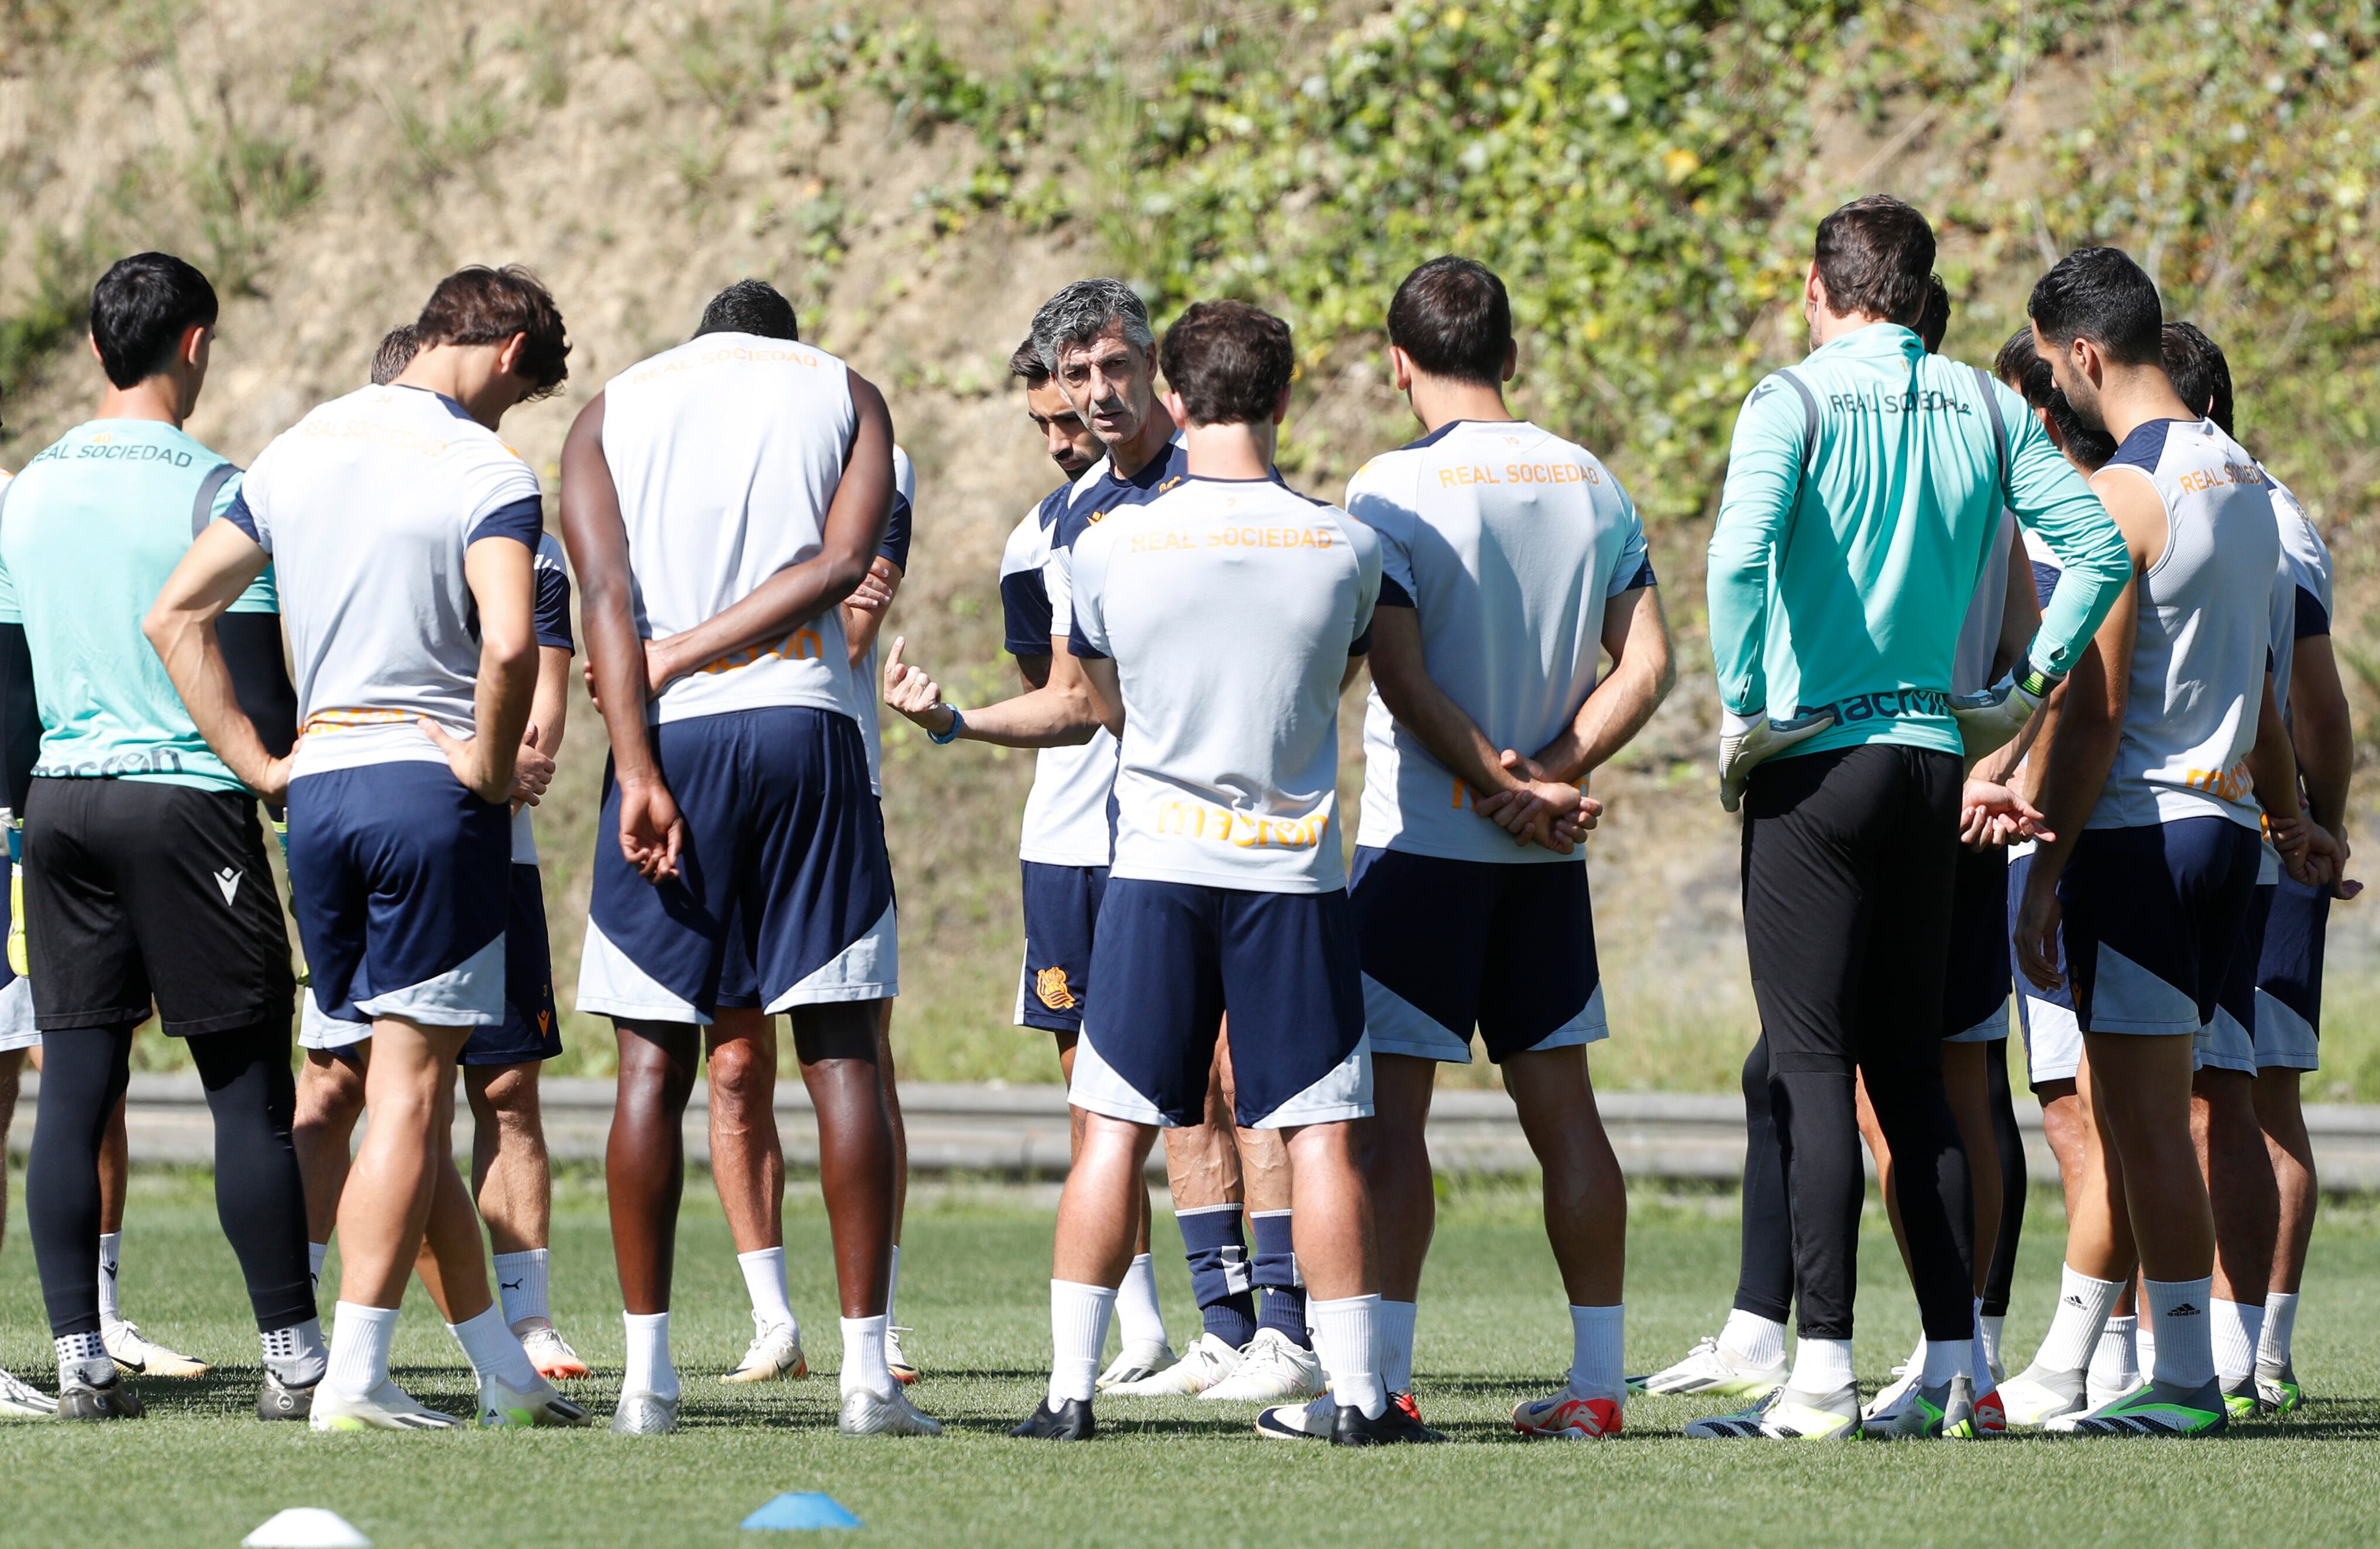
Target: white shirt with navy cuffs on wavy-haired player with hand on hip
pixel 368 508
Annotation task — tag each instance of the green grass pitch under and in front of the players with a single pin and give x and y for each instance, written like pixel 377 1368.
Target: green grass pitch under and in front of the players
pixel 975 1277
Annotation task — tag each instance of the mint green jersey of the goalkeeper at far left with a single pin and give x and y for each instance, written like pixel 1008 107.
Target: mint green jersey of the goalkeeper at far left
pixel 89 532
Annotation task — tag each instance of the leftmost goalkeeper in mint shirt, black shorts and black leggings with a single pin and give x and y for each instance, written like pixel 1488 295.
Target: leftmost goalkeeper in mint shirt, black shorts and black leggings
pixel 144 867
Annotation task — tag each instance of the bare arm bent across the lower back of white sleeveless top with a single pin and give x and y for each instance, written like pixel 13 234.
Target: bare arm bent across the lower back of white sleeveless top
pixel 798 594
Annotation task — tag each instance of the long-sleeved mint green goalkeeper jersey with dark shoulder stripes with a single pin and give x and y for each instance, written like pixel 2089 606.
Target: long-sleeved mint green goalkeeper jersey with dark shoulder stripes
pixel 1862 498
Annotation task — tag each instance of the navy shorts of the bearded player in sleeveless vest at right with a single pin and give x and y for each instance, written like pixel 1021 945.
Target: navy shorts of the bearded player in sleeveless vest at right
pixel 2155 917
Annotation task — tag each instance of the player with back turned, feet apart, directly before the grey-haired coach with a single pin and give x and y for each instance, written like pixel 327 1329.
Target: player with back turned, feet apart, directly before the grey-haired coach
pixel 1217 627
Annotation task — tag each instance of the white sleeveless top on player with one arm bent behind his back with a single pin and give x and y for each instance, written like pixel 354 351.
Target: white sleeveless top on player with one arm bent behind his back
pixel 727 453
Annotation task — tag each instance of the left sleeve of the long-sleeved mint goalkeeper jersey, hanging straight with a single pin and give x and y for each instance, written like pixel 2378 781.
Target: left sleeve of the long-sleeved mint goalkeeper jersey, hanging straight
pixel 1755 508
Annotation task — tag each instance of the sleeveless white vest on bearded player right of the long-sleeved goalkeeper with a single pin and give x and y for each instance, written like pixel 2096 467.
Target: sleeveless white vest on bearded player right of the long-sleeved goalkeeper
pixel 2210 613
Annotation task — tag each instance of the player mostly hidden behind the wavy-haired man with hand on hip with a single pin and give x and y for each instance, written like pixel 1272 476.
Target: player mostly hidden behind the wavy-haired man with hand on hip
pixel 511 1169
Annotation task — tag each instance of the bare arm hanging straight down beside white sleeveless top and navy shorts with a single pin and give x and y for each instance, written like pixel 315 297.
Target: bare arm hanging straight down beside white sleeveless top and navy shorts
pixel 651 829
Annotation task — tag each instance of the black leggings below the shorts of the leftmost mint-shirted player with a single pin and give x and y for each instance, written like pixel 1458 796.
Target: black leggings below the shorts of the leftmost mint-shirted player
pixel 258 1193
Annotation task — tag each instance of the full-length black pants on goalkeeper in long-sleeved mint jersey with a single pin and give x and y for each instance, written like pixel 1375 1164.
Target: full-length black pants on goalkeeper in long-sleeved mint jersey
pixel 1848 896
